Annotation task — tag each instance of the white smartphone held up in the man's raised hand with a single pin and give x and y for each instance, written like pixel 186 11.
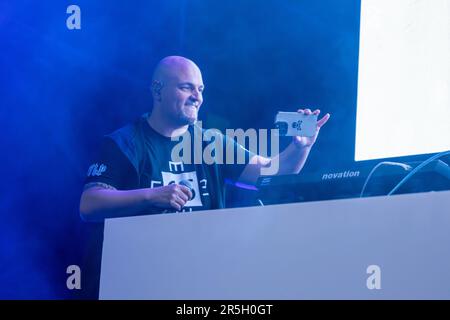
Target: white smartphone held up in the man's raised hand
pixel 296 124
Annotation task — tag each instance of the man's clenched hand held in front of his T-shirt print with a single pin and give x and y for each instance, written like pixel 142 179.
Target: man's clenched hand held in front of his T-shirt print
pixel 171 196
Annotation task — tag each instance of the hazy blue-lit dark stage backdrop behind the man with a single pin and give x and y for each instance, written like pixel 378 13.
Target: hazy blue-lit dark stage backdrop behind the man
pixel 61 90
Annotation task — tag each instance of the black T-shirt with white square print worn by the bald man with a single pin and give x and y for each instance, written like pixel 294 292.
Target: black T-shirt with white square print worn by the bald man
pixel 136 156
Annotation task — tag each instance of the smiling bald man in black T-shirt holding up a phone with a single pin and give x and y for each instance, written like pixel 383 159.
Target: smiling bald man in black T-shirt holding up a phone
pixel 135 174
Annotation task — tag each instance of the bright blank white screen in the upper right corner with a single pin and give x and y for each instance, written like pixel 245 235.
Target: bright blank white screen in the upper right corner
pixel 403 103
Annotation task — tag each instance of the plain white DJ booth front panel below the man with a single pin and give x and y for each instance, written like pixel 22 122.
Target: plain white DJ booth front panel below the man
pixel 316 250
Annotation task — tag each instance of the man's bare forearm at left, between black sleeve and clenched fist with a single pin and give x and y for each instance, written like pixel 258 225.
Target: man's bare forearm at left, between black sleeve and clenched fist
pixel 98 203
